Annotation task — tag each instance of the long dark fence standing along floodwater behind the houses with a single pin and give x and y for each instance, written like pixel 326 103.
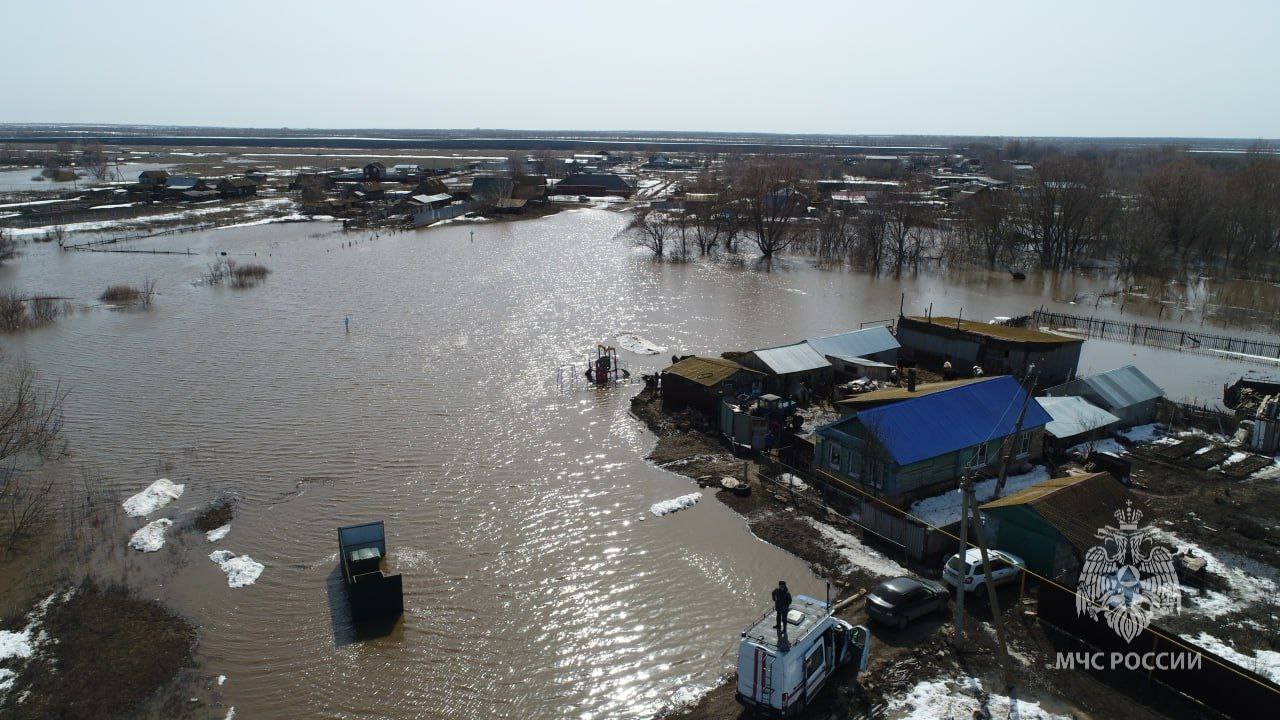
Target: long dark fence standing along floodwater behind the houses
pixel 1155 336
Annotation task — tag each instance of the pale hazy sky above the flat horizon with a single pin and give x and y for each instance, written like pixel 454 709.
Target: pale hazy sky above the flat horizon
pixel 1062 69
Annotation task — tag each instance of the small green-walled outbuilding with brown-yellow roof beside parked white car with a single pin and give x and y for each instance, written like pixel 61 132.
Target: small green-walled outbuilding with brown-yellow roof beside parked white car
pixel 1053 525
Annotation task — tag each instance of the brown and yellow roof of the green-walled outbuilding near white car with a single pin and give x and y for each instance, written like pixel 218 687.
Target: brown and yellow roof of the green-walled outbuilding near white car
pixel 1076 507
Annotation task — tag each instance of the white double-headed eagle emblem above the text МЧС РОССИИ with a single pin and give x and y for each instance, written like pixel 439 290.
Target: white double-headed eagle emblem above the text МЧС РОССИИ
pixel 1128 578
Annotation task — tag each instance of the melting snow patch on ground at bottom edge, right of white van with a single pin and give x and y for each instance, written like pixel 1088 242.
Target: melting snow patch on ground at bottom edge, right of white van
pixel 964 698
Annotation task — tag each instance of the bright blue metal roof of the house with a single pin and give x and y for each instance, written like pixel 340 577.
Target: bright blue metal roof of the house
pixel 949 421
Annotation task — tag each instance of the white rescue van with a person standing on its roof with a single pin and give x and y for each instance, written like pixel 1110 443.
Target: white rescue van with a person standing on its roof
pixel 779 675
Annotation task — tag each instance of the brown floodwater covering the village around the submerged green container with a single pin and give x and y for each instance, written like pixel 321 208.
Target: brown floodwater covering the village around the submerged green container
pixel 537 585
